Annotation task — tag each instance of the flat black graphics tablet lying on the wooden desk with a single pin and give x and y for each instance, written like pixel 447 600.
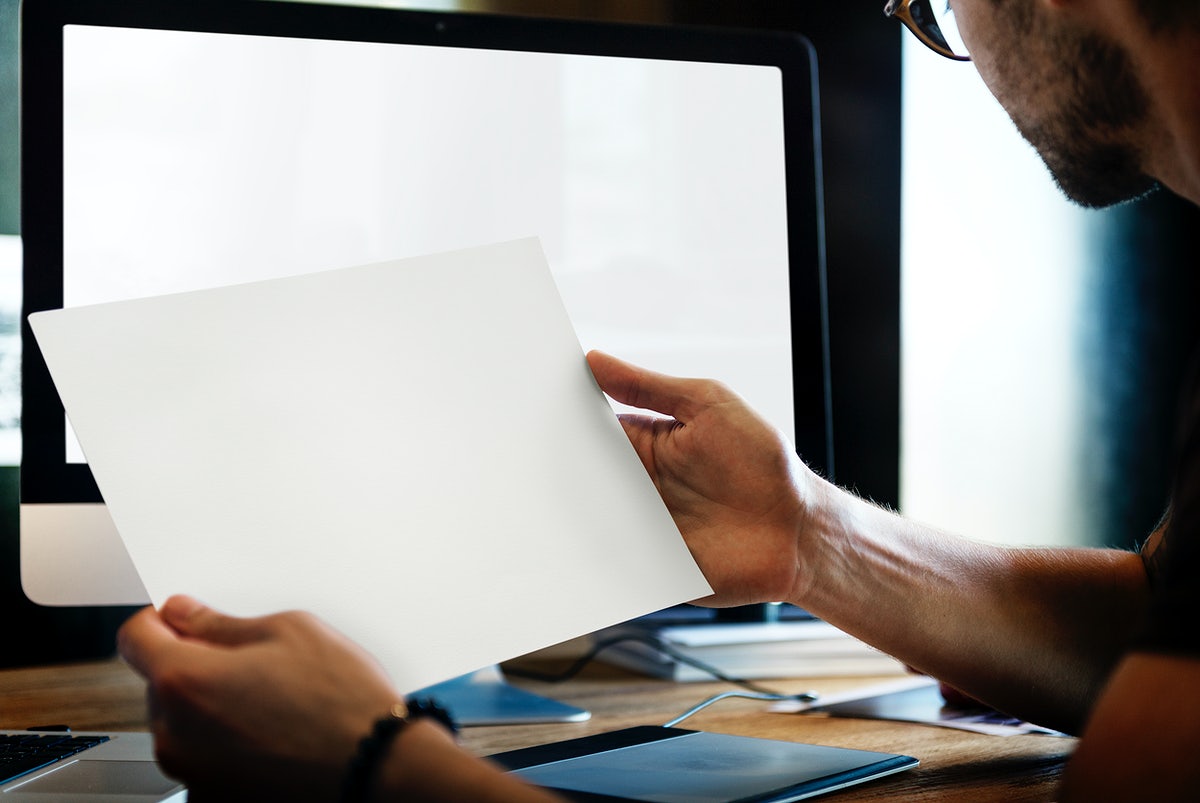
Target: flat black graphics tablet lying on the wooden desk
pixel 673 765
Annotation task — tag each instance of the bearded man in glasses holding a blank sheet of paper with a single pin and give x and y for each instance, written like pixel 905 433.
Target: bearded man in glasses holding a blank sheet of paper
pixel 1099 643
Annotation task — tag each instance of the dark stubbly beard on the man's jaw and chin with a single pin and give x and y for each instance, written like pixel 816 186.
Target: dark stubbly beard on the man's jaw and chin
pixel 1087 141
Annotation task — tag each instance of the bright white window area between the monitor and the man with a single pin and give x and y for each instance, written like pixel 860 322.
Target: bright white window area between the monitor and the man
pixel 993 267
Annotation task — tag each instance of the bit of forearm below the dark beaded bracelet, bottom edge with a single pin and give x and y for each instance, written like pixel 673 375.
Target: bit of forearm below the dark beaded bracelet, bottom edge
pixel 425 766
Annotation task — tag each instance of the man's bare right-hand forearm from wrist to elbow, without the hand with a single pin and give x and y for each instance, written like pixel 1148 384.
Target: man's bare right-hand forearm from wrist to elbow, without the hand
pixel 1034 633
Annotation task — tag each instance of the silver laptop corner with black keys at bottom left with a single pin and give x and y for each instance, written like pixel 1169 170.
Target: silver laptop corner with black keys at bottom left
pixel 99 768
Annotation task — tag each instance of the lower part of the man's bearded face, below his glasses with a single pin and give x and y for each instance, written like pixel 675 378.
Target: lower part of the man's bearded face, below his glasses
pixel 1072 94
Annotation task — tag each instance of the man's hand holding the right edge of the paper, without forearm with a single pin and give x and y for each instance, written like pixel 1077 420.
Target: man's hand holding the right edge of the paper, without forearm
pixel 733 483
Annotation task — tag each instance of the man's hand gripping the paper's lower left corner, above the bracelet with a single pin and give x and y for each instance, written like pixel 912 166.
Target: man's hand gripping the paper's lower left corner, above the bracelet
pixel 238 706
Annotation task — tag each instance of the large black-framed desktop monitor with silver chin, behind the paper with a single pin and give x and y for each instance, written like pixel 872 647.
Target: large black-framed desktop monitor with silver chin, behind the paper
pixel 671 173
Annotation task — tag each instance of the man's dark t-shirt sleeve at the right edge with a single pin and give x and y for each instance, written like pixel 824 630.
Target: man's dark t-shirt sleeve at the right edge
pixel 1174 567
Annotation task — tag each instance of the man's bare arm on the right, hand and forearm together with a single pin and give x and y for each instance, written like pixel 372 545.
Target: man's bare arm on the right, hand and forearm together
pixel 1031 632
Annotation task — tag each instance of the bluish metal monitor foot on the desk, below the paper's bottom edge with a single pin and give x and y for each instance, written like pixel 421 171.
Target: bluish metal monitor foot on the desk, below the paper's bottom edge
pixel 485 698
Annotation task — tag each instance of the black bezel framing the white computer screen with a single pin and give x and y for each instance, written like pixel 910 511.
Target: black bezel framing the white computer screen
pixel 46 476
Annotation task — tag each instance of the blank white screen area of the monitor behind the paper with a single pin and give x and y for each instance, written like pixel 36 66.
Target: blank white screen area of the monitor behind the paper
pixel 658 188
